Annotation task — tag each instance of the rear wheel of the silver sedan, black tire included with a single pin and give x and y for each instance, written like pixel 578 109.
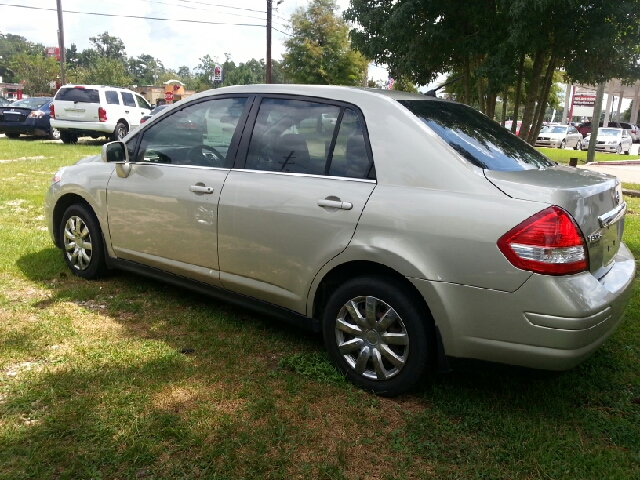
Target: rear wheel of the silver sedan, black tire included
pixel 411 324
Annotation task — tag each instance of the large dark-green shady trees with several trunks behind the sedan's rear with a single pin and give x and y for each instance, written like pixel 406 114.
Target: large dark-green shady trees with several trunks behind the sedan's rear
pixel 498 44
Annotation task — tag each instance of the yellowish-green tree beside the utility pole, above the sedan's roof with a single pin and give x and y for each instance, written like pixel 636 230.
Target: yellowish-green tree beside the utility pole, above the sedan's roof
pixel 319 50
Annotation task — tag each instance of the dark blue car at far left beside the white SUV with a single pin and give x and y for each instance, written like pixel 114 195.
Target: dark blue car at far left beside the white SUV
pixel 29 116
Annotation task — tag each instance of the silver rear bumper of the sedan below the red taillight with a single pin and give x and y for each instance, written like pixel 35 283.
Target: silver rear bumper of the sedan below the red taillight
pixel 551 323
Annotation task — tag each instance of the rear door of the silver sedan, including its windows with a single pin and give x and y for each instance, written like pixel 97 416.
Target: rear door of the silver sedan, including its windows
pixel 295 199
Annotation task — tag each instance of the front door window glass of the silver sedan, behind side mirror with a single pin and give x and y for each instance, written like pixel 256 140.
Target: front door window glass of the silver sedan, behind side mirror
pixel 200 134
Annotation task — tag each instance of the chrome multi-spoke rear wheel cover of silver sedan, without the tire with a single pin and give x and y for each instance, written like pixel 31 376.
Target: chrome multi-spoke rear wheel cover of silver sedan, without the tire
pixel 372 338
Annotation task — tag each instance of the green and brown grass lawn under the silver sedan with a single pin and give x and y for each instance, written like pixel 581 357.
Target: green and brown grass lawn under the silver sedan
pixel 127 378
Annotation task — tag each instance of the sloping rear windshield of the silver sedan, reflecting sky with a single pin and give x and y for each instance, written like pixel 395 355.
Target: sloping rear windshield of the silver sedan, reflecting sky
pixel 480 140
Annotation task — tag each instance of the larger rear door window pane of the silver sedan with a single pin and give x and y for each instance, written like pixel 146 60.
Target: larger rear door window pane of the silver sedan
pixel 292 136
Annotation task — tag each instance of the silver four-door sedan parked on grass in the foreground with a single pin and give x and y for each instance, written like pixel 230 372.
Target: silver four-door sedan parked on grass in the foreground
pixel 413 233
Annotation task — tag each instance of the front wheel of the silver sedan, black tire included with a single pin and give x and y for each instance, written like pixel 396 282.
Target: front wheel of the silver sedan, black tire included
pixel 82 244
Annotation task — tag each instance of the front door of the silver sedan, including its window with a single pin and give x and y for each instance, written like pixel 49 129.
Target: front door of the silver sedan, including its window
pixel 163 214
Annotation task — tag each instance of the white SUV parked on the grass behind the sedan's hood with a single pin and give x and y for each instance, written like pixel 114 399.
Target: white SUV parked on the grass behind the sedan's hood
pixel 96 110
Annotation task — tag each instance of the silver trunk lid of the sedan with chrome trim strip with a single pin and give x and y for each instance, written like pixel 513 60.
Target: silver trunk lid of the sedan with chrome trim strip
pixel 593 199
